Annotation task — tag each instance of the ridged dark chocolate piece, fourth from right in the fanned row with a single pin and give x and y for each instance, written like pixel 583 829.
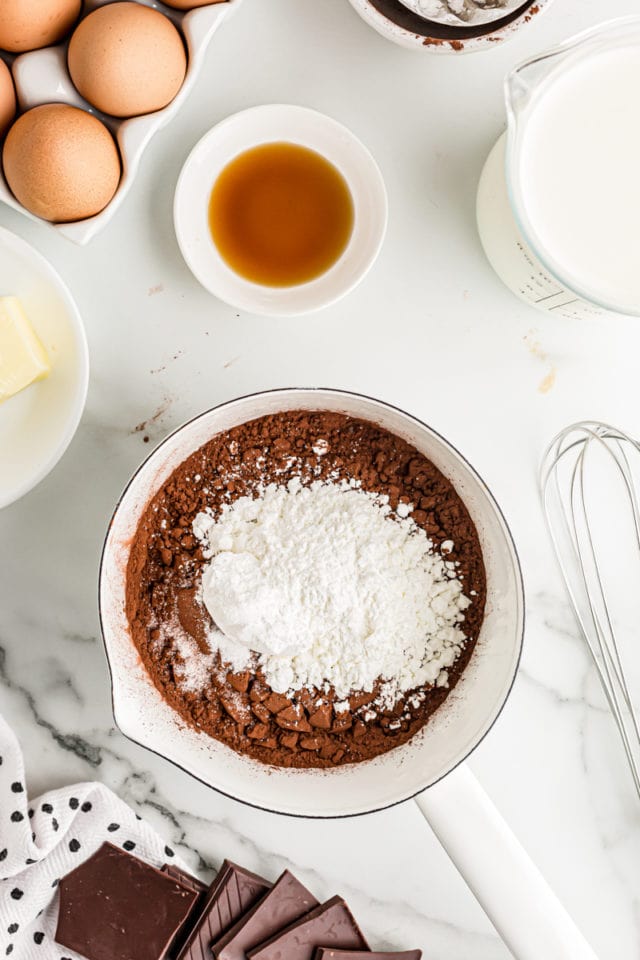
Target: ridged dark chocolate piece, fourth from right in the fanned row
pixel 233 892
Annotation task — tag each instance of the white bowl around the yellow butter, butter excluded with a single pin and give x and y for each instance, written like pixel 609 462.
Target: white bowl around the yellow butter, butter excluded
pixel 37 425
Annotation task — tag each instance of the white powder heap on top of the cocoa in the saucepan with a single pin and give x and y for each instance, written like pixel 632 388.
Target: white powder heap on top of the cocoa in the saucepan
pixel 326 586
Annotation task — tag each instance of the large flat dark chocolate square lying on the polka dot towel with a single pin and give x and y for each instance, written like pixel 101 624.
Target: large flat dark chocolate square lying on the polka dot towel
pixel 114 907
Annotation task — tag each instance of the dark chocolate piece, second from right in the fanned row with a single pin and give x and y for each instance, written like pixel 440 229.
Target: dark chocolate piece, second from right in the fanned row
pixel 330 925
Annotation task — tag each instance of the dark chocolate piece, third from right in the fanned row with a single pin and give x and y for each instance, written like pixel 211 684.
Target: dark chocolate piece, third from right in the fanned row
pixel 287 901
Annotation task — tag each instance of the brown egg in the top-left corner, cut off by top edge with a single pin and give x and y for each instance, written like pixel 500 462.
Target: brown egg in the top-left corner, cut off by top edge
pixel 31 24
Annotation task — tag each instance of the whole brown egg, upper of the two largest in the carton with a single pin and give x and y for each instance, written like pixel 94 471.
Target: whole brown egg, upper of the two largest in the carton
pixel 127 59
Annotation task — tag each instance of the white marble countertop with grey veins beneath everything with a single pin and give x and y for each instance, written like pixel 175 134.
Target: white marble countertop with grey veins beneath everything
pixel 432 330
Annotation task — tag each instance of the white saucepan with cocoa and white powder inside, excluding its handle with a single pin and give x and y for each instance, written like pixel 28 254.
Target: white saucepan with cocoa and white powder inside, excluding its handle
pixel 311 602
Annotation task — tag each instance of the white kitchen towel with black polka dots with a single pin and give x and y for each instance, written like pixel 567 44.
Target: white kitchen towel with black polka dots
pixel 42 840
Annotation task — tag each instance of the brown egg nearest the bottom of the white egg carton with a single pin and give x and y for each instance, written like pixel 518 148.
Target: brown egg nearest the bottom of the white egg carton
pixel 61 163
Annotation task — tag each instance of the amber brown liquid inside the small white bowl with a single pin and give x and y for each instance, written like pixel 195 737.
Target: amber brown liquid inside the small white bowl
pixel 280 214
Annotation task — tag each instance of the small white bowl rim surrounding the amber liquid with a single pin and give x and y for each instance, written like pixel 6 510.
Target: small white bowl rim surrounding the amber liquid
pixel 268 124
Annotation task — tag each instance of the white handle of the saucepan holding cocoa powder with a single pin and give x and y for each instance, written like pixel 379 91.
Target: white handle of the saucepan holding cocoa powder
pixel 509 887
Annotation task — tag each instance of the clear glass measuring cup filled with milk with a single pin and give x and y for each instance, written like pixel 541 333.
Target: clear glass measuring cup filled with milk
pixel 555 236
